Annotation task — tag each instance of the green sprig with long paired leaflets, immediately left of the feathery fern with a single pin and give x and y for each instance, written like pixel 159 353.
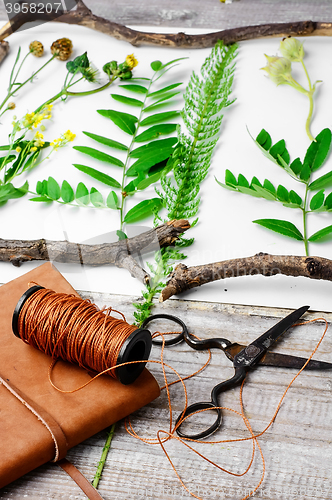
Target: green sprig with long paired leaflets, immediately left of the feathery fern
pixel 143 164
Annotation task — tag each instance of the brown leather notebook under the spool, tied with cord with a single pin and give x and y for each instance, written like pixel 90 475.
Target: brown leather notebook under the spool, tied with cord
pixel 37 422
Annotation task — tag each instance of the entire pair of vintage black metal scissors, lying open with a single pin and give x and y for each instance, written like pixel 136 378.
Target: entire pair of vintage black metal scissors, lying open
pixel 244 358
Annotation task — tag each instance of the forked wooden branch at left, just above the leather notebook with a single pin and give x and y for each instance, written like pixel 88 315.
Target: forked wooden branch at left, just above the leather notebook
pixel 119 253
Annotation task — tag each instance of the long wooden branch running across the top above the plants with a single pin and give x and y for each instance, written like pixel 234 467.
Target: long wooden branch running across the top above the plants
pixel 83 16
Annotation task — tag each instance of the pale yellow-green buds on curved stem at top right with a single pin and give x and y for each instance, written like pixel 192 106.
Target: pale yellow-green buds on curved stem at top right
pixel 279 70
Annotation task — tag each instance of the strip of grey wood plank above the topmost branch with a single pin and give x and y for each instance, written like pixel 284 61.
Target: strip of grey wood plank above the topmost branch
pixel 207 14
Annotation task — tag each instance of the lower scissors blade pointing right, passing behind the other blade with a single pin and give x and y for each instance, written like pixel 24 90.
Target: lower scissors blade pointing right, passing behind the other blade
pixel 280 360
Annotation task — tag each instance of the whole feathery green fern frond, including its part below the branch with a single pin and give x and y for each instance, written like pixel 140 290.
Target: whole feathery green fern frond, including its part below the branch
pixel 206 96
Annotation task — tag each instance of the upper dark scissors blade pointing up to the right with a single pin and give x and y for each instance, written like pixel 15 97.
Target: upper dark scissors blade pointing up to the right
pixel 252 354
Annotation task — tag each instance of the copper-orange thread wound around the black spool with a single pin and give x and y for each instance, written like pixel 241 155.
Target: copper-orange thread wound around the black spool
pixel 67 327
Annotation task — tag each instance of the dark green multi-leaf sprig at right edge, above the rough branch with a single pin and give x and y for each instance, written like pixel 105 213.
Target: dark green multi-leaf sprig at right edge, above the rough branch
pixel 313 199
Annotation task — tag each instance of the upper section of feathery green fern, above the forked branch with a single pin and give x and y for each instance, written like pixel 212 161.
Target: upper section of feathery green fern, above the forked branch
pixel 205 98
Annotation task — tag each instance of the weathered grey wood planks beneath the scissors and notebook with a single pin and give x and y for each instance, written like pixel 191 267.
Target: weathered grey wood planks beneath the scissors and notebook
pixel 297 448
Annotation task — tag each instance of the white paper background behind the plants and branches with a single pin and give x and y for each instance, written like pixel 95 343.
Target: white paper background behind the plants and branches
pixel 225 229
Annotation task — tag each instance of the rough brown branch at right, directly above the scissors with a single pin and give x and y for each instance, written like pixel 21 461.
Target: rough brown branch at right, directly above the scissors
pixel 183 277
